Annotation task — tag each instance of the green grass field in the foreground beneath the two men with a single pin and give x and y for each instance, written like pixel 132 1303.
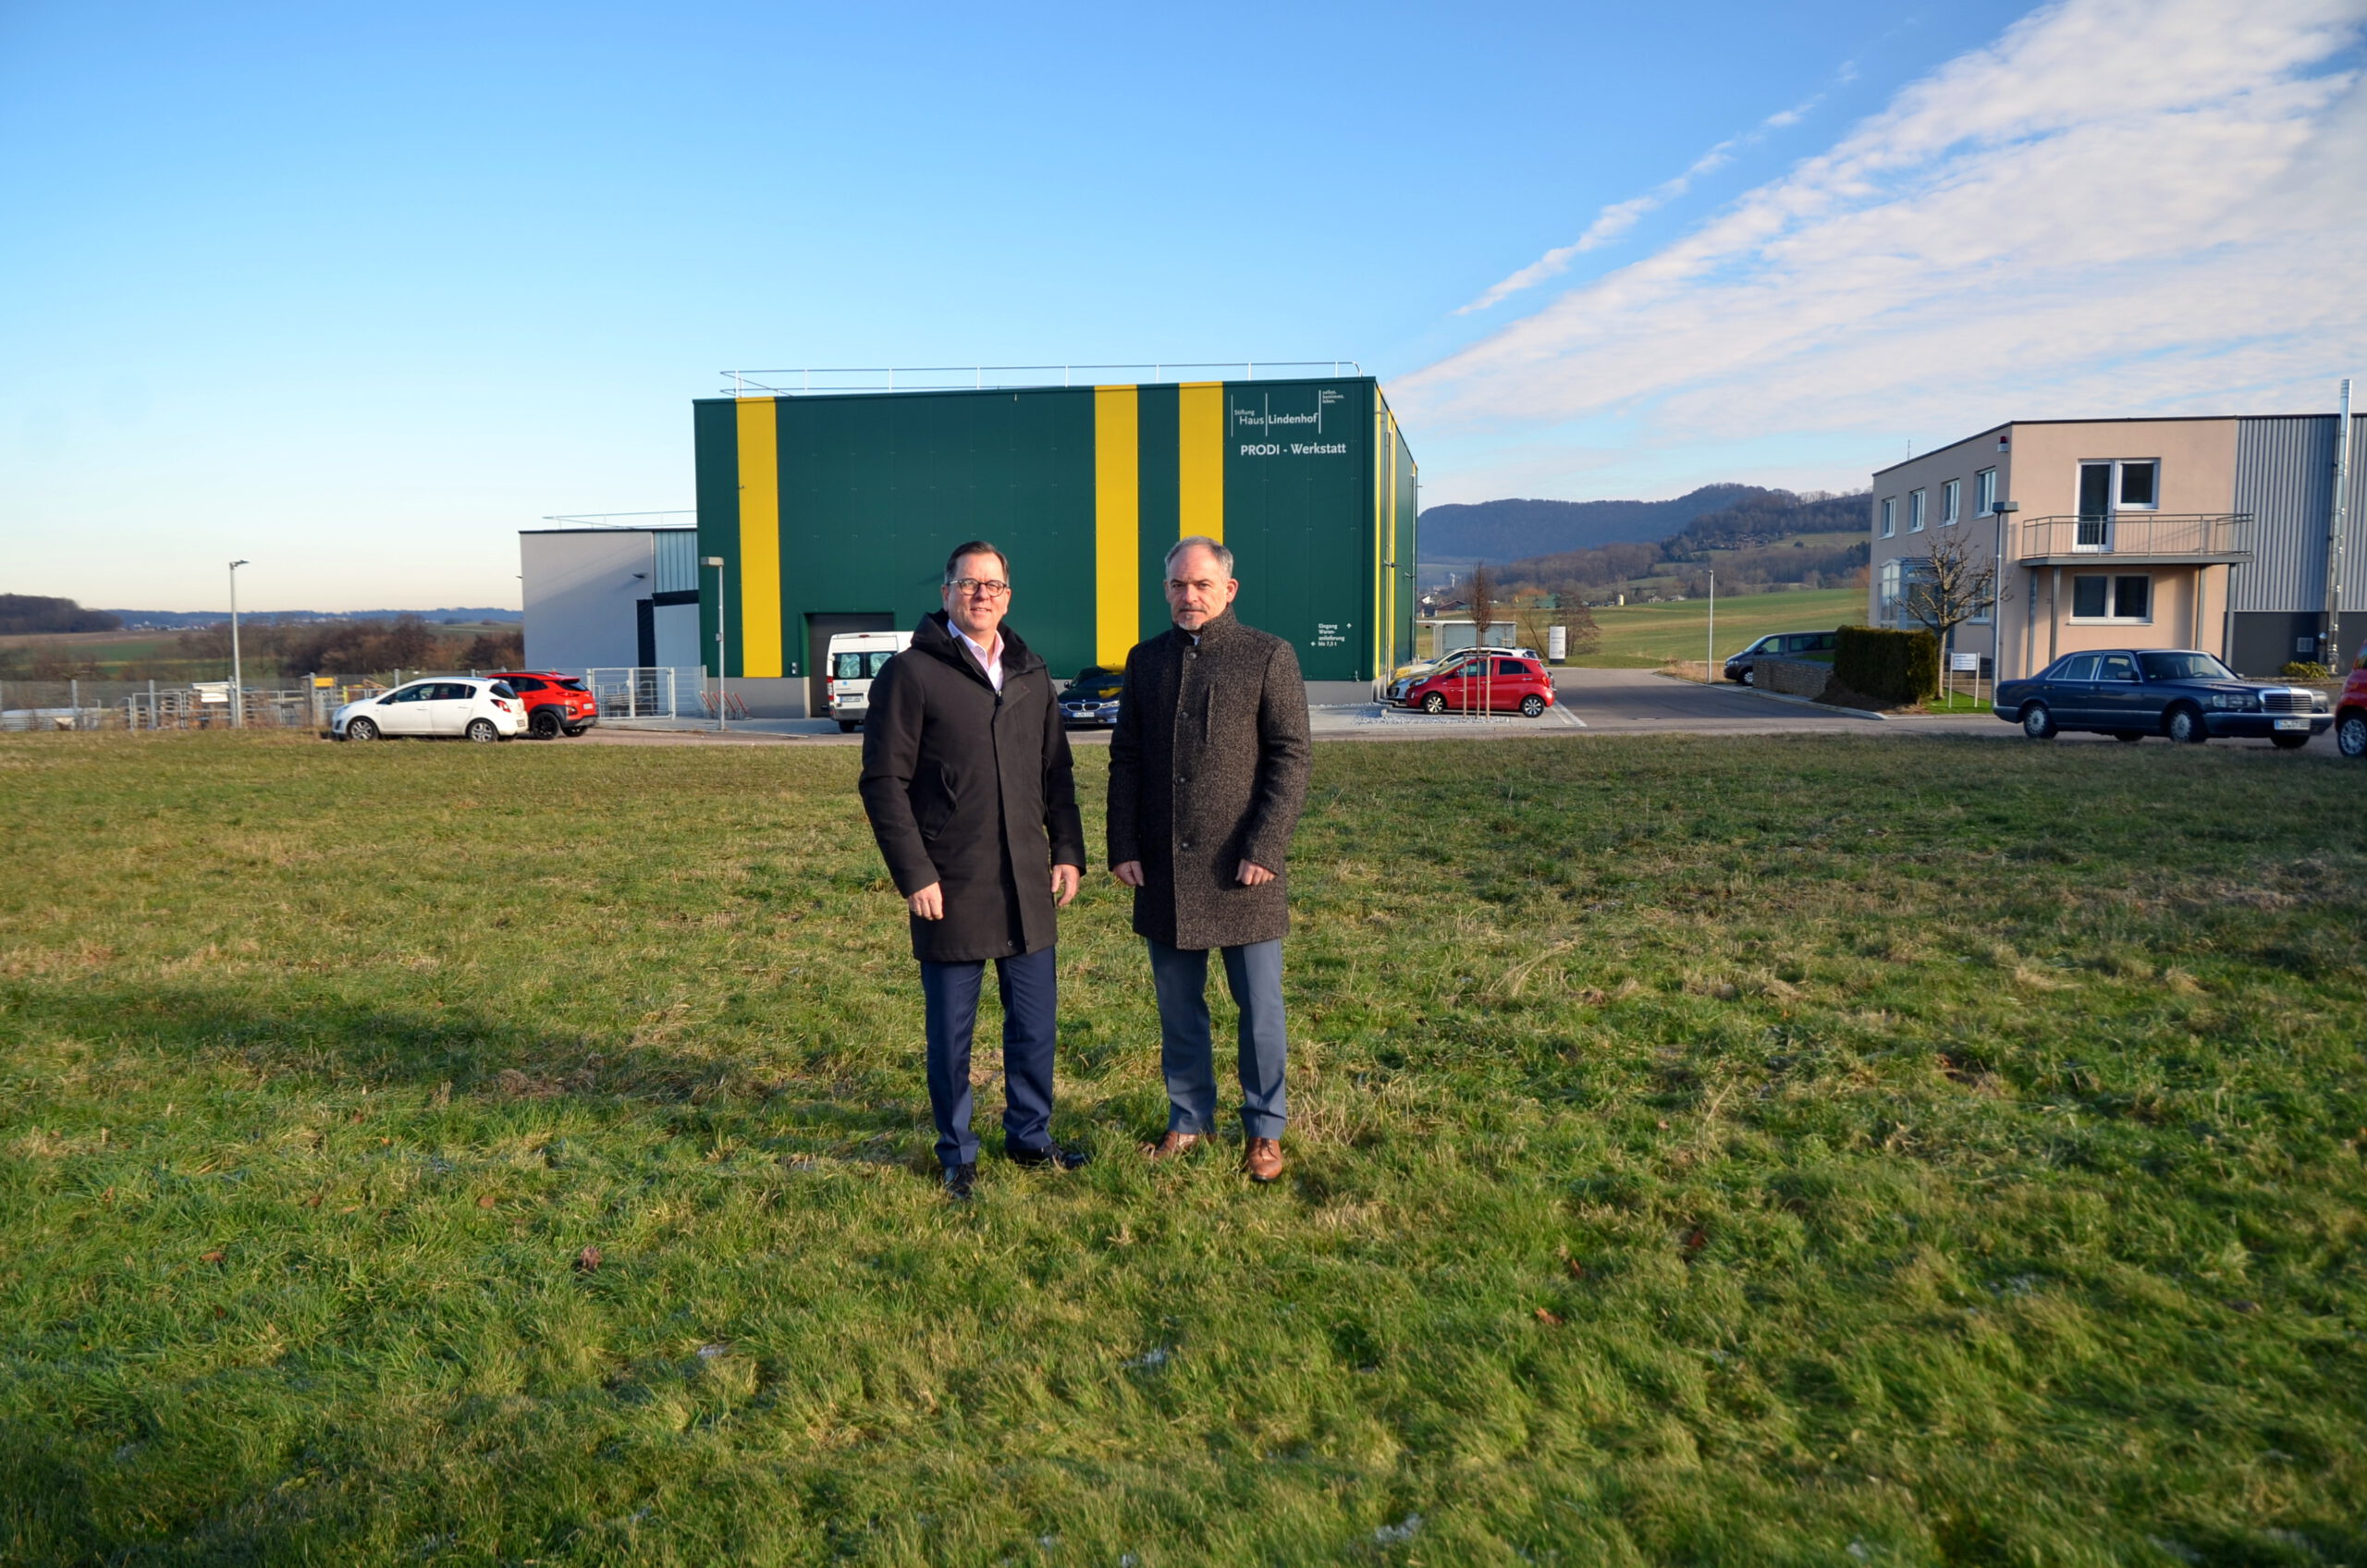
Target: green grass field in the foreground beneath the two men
pixel 1703 1152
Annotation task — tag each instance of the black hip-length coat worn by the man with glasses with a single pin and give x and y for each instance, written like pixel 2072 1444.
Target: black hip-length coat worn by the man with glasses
pixel 972 788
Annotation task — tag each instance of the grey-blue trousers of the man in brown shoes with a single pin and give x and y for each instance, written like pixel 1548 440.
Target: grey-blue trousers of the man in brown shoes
pixel 1187 1053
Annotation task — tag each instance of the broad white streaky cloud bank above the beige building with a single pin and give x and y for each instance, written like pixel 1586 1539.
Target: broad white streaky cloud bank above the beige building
pixel 2117 207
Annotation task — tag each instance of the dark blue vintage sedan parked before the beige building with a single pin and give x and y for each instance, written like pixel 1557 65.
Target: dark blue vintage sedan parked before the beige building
pixel 2179 693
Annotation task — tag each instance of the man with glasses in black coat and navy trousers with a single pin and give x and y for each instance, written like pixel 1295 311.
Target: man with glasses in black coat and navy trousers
pixel 969 790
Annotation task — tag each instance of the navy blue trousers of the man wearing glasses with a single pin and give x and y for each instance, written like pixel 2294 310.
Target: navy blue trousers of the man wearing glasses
pixel 950 994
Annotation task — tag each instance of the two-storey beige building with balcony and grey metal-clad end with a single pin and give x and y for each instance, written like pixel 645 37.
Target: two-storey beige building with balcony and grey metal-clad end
pixel 2184 534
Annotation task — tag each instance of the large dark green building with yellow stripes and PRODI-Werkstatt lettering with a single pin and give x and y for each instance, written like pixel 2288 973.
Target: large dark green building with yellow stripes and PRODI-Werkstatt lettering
pixel 834 510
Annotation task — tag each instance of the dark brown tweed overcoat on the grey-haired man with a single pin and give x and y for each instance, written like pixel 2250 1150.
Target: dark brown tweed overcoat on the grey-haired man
pixel 1208 769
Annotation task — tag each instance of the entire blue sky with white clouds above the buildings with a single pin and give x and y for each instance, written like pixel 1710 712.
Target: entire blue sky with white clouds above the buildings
pixel 361 293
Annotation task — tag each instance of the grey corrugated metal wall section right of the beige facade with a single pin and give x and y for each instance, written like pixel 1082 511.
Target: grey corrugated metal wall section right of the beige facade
pixel 2285 480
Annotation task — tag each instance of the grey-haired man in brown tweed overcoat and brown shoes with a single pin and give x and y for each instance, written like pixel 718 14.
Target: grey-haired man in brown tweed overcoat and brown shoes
pixel 1208 773
